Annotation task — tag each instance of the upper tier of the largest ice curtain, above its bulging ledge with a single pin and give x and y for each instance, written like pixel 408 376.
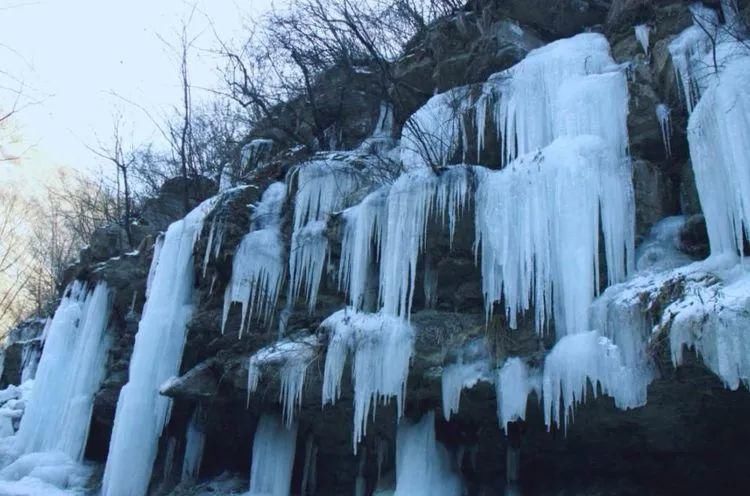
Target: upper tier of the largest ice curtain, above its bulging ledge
pixel 568 87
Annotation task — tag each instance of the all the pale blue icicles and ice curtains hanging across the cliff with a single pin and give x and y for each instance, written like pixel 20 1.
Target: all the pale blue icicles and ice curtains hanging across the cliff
pixel 560 115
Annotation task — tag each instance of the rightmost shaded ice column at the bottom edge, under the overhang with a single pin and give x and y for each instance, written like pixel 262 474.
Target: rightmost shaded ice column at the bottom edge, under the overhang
pixel 423 465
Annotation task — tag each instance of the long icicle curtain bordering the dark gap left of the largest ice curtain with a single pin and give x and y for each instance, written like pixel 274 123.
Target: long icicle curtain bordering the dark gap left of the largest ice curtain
pixel 410 202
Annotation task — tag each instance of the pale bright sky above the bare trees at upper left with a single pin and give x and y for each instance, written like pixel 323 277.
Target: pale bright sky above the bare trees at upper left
pixel 73 55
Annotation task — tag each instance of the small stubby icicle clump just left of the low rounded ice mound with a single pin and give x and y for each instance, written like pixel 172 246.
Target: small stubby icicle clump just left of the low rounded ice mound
pixel 512 386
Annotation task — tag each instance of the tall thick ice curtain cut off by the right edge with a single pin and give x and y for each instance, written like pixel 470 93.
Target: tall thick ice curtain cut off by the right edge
pixel 718 133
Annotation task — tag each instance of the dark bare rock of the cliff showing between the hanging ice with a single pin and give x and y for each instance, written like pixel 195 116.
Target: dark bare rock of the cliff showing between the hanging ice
pixel 687 439
